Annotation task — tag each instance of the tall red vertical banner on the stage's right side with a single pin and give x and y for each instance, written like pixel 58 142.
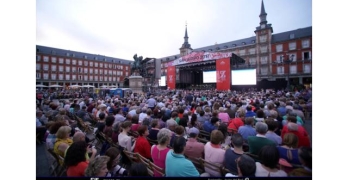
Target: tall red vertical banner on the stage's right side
pixel 223 74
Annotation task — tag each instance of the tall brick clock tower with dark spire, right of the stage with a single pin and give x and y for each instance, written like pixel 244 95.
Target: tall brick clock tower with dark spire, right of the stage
pixel 263 45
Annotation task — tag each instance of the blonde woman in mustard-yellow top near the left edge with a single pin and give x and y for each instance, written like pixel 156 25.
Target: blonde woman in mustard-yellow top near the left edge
pixel 63 141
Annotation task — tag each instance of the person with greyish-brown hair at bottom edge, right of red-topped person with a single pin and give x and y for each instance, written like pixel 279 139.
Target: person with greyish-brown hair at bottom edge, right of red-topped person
pixel 97 167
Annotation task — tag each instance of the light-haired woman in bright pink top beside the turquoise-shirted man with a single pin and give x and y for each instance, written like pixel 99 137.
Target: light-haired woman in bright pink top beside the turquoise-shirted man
pixel 159 152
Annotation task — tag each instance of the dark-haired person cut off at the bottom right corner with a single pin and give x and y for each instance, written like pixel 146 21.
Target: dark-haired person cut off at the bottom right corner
pixel 305 156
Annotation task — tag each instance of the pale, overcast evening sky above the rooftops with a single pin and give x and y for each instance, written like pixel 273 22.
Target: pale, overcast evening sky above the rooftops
pixel 156 28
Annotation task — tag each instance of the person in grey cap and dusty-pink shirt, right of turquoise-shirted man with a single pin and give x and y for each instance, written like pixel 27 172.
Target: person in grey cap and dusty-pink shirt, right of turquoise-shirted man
pixel 193 148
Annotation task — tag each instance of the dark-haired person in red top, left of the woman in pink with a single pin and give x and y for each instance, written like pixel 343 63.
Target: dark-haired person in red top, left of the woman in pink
pixel 142 145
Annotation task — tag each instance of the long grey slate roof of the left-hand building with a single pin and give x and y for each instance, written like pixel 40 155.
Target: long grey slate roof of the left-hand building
pixel 79 55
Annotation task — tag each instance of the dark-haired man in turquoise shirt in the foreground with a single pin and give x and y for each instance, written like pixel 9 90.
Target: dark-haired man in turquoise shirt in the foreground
pixel 176 163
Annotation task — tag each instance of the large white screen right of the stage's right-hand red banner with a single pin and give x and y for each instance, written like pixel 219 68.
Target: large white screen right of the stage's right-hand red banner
pixel 243 77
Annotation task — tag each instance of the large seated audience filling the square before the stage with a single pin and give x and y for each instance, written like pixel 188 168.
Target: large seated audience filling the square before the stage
pixel 251 133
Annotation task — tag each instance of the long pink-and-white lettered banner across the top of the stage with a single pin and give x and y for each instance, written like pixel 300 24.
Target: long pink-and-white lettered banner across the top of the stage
pixel 198 57
